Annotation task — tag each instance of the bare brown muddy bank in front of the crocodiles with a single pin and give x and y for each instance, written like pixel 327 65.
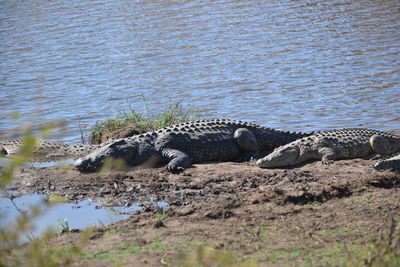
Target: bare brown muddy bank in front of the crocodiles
pixel 230 213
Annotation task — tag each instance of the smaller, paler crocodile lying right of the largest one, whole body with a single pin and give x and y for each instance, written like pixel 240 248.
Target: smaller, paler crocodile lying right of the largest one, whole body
pixel 331 145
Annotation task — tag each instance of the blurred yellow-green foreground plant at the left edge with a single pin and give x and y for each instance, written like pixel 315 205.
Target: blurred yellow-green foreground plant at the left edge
pixel 36 252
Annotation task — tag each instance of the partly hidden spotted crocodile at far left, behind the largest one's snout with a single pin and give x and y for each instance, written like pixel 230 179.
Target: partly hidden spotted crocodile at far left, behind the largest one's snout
pixel 47 149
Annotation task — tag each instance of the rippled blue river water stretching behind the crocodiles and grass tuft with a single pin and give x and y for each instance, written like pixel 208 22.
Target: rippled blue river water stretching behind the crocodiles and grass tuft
pixel 301 65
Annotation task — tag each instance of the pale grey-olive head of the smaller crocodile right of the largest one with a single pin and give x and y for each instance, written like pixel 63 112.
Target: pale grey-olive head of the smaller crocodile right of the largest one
pixel 280 157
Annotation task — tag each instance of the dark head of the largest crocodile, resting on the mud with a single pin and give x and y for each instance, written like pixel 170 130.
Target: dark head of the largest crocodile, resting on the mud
pixel 119 152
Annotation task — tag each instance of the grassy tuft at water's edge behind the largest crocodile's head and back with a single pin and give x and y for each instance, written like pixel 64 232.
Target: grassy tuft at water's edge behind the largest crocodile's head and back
pixel 131 122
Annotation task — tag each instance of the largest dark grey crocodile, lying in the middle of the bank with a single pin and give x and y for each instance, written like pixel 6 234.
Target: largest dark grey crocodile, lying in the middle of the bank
pixel 182 144
